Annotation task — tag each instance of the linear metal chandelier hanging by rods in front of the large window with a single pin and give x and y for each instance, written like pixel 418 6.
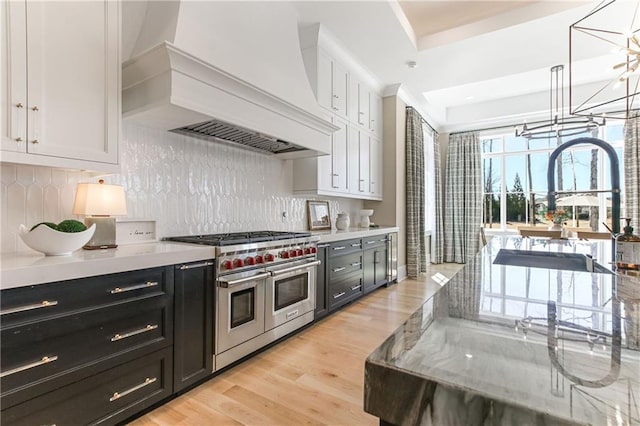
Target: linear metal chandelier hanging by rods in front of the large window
pixel 559 126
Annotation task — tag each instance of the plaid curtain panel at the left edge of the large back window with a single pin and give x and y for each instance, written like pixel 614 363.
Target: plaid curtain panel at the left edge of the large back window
pixel 463 198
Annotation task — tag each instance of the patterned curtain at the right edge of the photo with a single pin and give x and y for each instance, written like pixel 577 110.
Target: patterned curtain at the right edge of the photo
pixel 632 170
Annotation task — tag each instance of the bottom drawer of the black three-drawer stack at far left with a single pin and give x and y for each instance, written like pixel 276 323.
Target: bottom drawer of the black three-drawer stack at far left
pixel 107 398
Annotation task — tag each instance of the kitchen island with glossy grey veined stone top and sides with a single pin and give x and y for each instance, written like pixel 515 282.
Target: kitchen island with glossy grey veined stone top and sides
pixel 507 345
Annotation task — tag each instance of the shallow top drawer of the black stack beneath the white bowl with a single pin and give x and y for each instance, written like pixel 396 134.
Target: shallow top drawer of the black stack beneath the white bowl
pixel 45 300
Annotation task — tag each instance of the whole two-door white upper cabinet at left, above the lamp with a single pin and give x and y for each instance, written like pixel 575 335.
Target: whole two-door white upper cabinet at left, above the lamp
pixel 61 84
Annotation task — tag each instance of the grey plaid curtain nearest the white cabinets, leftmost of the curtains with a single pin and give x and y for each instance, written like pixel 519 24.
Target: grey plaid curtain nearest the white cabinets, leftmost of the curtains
pixel 416 247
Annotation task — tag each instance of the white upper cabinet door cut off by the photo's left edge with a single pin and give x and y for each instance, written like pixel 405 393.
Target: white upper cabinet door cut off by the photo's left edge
pixel 13 66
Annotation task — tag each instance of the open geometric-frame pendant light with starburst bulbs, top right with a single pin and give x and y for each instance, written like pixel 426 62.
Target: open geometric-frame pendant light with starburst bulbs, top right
pixel 611 26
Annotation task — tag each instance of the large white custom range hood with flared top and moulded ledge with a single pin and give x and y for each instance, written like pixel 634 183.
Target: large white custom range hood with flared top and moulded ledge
pixel 227 72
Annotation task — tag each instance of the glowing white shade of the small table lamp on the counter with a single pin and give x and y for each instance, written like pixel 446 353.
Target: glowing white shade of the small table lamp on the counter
pixel 99 199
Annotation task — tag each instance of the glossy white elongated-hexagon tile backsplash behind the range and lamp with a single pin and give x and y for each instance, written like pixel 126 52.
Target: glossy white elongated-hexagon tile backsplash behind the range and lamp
pixel 189 186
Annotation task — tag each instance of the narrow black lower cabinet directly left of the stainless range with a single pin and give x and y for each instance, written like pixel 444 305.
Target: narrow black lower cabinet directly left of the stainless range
pixel 193 325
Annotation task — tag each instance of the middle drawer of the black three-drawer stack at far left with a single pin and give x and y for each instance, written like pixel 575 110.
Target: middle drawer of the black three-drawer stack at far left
pixel 38 354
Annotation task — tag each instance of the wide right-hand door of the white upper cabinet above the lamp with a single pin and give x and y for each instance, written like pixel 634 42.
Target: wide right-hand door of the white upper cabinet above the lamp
pixel 73 85
